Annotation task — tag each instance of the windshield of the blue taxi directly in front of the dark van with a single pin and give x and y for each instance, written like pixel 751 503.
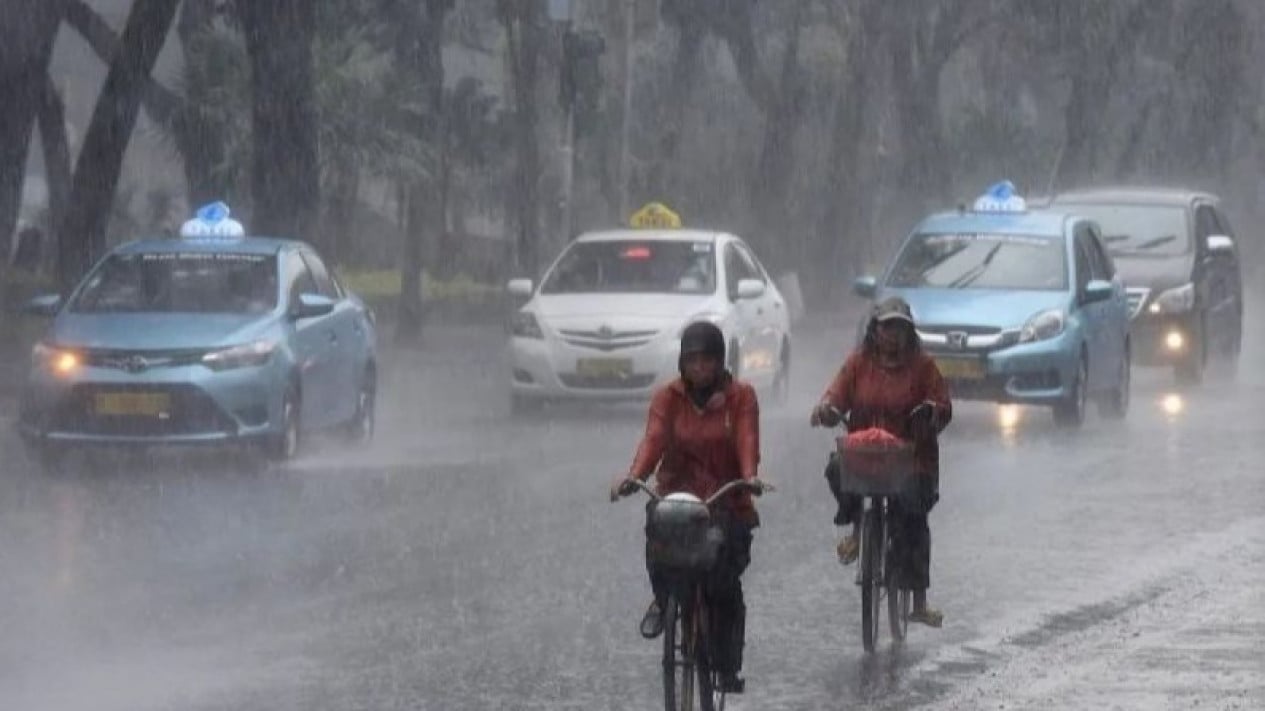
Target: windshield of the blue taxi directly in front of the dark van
pixel 982 261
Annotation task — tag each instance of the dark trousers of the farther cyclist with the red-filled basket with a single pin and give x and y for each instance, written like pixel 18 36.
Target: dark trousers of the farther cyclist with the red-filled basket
pixel 908 523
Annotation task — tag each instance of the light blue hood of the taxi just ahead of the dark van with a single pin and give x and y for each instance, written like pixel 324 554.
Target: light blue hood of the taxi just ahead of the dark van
pixel 978 307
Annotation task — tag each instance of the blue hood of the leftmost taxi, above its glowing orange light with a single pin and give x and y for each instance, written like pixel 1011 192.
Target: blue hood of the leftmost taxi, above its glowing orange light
pixel 157 332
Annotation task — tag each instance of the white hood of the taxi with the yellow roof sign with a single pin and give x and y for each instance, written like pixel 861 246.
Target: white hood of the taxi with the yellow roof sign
pixel 579 309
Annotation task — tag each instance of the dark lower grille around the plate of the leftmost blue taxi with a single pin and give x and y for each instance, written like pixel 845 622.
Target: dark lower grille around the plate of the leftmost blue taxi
pixel 192 412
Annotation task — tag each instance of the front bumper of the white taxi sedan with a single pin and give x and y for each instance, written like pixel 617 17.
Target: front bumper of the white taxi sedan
pixel 552 369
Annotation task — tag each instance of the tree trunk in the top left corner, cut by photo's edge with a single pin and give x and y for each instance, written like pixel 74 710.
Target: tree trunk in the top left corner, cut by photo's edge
pixel 27 34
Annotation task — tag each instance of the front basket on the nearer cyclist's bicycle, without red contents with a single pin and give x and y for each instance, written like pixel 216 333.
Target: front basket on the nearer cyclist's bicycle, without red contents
pixel 681 533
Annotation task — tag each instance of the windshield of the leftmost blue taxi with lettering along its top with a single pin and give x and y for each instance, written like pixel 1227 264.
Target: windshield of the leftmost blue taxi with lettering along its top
pixel 182 284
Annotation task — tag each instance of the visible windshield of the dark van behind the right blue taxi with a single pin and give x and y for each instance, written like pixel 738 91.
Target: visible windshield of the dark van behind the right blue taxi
pixel 1139 231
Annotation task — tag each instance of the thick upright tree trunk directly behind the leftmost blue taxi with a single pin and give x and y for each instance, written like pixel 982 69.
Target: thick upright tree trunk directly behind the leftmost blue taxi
pixel 285 164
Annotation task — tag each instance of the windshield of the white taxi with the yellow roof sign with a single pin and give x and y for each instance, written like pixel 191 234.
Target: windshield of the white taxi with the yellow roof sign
pixel 642 268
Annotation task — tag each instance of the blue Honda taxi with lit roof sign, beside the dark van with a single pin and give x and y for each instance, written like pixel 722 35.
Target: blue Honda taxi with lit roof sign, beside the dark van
pixel 1018 306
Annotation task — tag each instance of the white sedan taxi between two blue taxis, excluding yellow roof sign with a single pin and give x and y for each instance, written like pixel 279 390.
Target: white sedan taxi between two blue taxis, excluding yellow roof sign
pixel 605 323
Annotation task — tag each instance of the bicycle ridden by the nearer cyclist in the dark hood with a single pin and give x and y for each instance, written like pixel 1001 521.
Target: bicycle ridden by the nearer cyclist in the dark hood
pixel 686 543
